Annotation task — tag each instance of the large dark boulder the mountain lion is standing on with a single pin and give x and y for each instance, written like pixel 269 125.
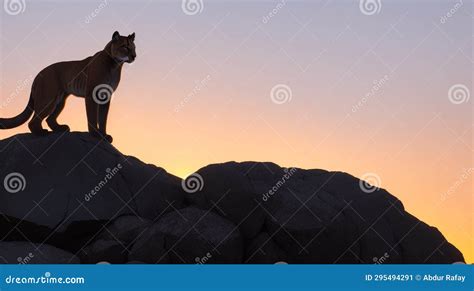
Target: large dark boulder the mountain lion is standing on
pixel 68 177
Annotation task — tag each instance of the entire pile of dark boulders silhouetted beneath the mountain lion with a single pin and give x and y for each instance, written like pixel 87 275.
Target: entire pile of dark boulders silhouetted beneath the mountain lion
pixel 246 212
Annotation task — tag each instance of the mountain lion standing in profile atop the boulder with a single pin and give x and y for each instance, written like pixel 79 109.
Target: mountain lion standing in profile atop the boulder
pixel 94 78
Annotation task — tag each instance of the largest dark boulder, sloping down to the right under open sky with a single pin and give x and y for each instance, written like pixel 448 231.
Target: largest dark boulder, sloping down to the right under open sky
pixel 316 216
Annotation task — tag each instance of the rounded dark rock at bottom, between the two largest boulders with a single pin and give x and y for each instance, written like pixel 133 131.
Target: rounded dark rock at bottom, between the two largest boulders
pixel 193 236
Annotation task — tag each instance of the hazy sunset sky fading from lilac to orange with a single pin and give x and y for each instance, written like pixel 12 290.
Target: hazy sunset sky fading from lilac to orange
pixel 382 94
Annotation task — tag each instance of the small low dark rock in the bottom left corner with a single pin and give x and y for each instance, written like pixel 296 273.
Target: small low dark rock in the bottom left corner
pixel 29 253
